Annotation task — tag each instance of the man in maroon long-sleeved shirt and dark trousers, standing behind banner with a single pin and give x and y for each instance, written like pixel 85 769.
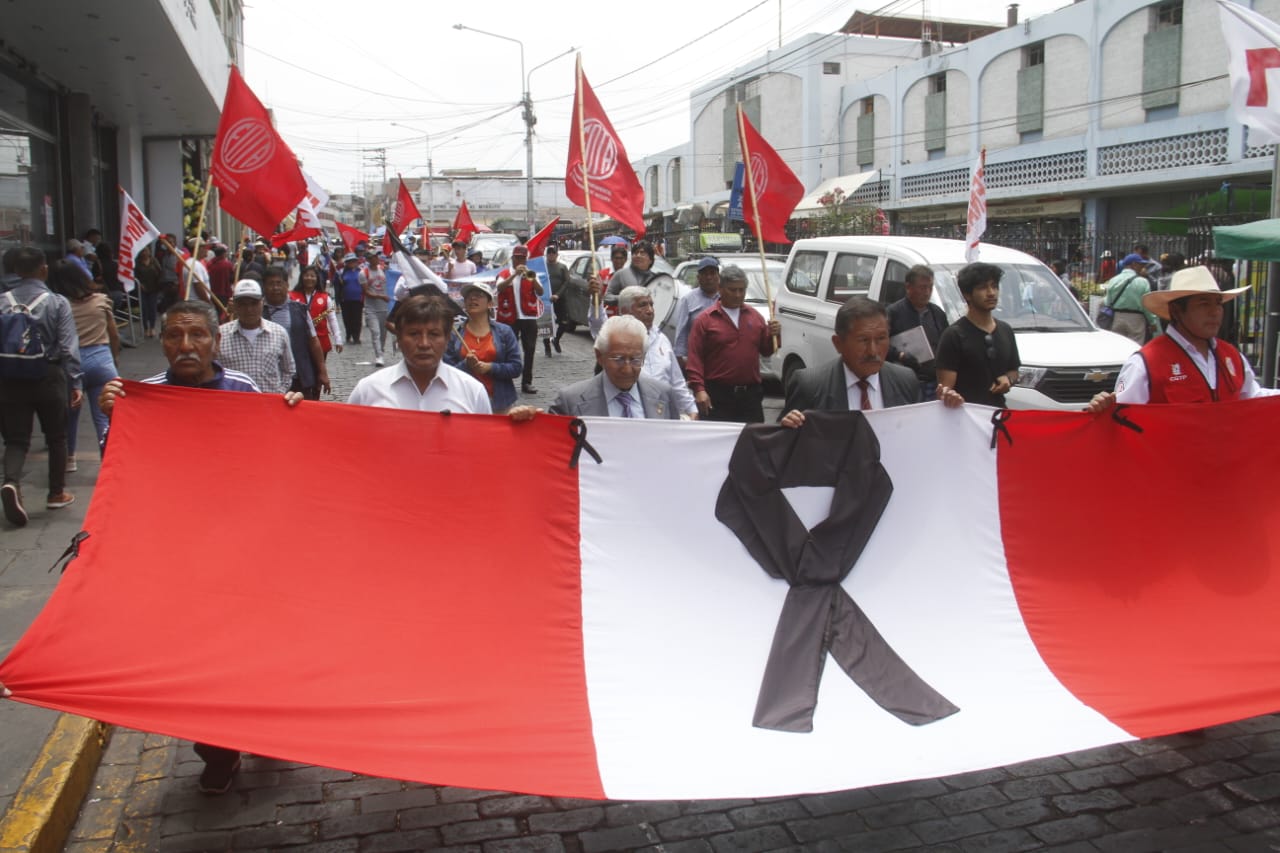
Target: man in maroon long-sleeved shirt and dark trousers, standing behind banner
pixel 725 349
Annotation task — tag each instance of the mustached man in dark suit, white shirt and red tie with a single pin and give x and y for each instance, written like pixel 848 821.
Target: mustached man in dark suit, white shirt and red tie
pixel 861 378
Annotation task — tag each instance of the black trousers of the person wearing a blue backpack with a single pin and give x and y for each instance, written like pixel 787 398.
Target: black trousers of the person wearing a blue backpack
pixel 21 403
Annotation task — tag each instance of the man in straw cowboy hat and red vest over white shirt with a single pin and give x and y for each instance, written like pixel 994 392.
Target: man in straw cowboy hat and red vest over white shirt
pixel 1188 363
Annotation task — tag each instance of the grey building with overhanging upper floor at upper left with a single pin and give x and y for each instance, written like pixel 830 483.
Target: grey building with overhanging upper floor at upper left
pixel 95 95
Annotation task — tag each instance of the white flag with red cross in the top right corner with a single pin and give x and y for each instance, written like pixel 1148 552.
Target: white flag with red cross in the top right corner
pixel 1254 66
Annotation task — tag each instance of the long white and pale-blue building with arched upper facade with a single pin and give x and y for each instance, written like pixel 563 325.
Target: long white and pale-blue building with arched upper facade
pixel 1101 117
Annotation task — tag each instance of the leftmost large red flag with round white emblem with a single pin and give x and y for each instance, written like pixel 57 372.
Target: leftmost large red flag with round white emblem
pixel 254 168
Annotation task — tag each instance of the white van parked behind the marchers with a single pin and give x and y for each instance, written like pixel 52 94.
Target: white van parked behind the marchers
pixel 1066 358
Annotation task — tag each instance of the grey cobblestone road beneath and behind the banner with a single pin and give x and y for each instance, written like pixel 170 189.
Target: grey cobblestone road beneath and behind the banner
pixel 1215 791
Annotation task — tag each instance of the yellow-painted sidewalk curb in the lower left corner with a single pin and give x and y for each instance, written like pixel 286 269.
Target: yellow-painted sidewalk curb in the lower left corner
pixel 45 809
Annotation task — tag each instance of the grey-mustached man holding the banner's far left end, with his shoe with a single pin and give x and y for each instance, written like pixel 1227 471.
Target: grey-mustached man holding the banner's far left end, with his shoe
pixel 190 336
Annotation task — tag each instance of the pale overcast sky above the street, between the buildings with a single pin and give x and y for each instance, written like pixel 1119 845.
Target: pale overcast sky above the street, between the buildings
pixel 340 74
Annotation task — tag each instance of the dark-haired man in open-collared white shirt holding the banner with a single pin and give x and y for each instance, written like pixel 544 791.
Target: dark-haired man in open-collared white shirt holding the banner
pixel 422 381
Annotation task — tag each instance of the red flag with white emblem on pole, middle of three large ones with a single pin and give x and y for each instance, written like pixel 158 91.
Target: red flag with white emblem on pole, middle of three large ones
pixel 607 185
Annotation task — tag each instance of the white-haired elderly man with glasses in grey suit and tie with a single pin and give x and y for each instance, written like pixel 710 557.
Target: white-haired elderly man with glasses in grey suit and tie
pixel 620 390
